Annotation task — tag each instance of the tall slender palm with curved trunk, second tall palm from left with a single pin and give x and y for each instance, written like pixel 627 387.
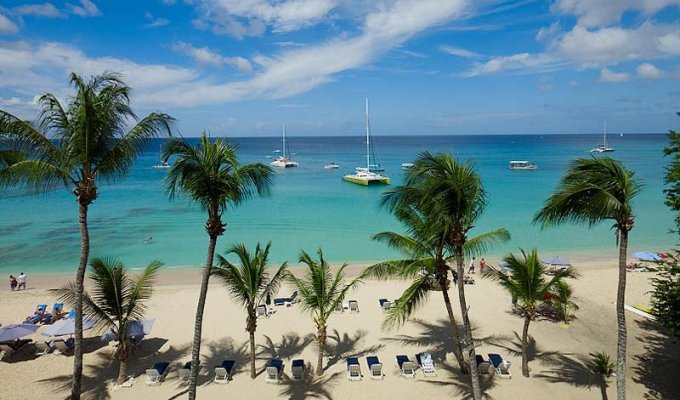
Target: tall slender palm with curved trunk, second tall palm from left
pixel 210 175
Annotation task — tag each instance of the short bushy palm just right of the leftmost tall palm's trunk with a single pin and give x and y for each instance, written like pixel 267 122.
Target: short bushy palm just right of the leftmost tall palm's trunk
pixel 115 300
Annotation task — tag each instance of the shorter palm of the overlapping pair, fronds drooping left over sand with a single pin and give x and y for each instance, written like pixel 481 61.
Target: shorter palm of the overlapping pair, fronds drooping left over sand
pixel 427 264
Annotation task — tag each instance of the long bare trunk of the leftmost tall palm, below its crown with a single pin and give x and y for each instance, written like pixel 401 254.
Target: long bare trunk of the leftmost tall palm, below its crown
pixel 80 278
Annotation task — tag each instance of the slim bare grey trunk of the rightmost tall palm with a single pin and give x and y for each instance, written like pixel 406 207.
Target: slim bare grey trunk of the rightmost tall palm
pixel 621 319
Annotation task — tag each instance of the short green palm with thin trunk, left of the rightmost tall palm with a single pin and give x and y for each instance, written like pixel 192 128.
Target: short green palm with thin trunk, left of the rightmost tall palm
pixel 526 283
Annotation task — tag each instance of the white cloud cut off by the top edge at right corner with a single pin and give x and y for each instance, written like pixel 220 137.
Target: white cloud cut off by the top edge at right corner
pixel 596 13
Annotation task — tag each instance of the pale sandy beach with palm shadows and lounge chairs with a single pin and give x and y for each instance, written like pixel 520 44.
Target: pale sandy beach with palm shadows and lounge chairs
pixel 557 353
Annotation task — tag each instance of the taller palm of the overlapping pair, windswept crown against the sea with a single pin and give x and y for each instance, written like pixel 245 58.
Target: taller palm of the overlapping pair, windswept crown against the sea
pixel 451 195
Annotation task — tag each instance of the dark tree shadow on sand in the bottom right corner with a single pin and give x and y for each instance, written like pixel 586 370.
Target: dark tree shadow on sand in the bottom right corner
pixel 656 367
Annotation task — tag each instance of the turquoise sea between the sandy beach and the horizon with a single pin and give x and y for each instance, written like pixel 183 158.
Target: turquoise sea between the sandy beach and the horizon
pixel 311 207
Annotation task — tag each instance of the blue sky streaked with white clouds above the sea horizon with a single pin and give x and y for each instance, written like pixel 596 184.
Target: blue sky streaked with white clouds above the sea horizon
pixel 242 67
